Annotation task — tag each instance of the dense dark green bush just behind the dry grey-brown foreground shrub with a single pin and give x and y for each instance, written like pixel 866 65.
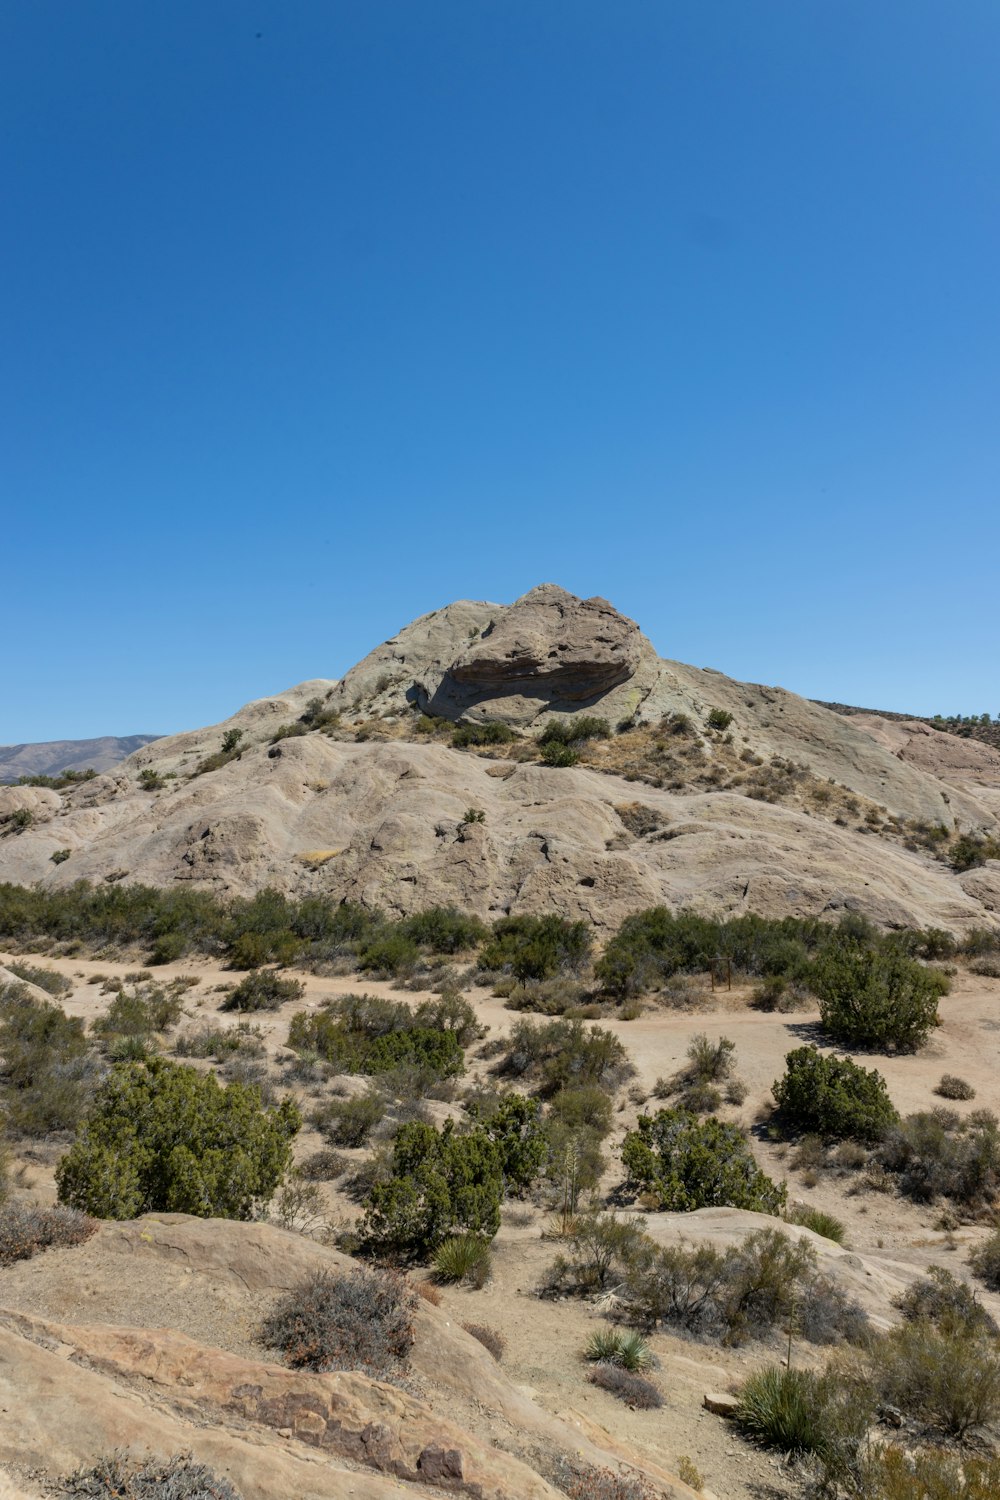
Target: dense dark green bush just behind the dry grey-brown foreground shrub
pixel 439 1184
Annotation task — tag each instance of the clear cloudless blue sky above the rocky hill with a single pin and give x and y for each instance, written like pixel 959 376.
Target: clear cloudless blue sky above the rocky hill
pixel 317 316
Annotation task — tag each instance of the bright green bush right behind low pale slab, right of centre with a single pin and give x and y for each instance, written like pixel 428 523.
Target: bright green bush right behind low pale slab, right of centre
pixel 689 1165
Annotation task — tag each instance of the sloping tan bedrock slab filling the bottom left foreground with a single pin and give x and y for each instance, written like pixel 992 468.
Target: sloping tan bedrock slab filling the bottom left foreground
pixel 73 1391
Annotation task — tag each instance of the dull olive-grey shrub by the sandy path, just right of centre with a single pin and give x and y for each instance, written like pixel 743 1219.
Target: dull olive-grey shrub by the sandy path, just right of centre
pixel 564 1055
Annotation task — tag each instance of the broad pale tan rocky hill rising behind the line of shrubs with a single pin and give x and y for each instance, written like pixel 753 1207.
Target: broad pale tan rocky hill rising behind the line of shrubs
pixel 708 793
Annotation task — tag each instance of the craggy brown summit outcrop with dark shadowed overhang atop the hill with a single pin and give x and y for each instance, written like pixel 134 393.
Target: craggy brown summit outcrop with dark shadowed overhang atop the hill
pixel 549 649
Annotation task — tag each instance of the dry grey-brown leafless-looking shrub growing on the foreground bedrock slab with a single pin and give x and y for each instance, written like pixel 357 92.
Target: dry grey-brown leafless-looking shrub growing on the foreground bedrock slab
pixel 362 1321
